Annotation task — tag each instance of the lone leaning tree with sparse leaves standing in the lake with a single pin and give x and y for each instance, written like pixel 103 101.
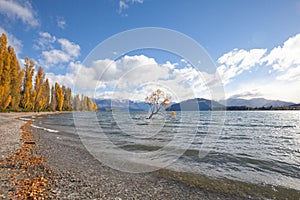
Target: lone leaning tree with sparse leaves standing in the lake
pixel 158 101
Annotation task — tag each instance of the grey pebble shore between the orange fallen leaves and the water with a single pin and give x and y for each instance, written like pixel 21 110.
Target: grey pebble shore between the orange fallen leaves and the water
pixel 75 174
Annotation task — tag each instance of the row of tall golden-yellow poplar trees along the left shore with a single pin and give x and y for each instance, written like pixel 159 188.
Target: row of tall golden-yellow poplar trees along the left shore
pixel 20 90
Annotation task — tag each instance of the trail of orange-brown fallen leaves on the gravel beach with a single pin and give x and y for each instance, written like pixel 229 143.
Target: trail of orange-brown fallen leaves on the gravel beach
pixel 31 180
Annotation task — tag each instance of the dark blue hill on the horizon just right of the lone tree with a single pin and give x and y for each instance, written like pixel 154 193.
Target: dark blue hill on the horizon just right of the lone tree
pixel 196 104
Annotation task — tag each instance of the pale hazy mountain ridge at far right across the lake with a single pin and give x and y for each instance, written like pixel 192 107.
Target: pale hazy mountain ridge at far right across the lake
pixel 255 102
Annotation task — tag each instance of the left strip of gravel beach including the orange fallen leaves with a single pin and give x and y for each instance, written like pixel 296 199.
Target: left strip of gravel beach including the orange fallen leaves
pixel 22 169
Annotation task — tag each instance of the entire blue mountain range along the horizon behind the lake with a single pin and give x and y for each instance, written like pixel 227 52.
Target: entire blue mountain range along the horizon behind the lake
pixel 191 104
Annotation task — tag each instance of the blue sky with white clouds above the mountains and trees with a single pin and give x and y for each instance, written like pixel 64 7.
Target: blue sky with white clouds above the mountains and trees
pixel 253 44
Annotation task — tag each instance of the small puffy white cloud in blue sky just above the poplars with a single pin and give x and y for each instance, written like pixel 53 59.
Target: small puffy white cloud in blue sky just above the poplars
pixel 65 51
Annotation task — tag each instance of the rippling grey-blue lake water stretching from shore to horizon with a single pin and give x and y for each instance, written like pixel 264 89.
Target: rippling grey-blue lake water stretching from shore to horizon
pixel 261 147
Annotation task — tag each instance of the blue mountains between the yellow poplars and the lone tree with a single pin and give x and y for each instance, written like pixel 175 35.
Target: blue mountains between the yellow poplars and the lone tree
pixel 110 104
